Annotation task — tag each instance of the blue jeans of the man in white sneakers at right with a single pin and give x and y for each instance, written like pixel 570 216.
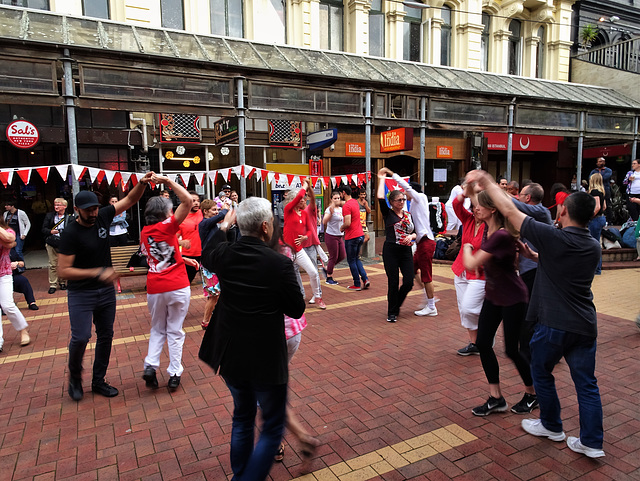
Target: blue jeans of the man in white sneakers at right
pixel 548 346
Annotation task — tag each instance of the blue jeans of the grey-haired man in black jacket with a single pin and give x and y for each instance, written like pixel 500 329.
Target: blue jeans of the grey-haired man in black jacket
pixel 250 463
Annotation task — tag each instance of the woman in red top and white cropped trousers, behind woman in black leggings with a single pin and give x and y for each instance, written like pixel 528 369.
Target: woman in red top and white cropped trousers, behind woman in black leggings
pixel 469 284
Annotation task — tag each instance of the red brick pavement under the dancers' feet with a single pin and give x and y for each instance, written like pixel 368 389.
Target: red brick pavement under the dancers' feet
pixel 357 382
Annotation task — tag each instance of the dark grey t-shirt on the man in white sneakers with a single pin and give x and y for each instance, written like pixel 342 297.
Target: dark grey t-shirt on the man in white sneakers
pixel 562 297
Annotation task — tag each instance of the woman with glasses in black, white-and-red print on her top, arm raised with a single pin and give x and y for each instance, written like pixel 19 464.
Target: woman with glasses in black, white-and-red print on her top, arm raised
pixel 396 252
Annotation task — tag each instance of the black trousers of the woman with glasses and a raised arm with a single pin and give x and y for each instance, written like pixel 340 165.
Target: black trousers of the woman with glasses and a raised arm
pixel 397 257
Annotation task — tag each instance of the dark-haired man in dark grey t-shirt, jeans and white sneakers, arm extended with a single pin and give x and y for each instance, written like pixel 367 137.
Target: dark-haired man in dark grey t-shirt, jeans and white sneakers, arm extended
pixel 562 305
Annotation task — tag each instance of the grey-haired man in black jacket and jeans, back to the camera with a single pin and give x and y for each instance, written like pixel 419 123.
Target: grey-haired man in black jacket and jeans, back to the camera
pixel 245 342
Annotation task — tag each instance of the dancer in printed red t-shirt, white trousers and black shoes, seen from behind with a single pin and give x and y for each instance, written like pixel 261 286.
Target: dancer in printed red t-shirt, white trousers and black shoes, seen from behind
pixel 168 286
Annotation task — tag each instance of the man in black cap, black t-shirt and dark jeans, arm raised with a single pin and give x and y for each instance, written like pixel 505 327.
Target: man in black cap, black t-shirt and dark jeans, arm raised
pixel 85 261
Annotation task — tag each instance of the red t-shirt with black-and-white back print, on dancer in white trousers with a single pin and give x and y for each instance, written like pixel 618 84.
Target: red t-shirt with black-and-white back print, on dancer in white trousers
pixel 167 271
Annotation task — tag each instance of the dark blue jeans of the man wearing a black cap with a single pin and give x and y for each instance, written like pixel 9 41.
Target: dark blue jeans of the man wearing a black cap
pixel 98 305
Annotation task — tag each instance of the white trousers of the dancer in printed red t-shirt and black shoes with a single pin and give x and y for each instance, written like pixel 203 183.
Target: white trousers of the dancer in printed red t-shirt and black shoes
pixel 168 310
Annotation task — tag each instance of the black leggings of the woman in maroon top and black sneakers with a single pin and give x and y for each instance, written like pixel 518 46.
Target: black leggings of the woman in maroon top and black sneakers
pixel 490 318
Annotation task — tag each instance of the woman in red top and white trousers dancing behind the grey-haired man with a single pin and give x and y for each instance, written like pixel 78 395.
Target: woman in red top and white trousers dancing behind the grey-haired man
pixel 295 232
